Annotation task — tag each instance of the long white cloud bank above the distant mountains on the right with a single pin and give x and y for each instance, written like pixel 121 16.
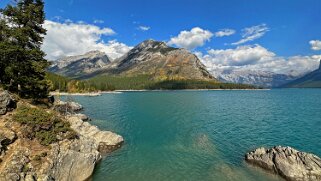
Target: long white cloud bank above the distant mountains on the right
pixel 256 57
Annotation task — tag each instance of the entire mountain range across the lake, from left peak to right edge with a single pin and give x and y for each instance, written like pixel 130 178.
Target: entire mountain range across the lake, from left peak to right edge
pixel 161 62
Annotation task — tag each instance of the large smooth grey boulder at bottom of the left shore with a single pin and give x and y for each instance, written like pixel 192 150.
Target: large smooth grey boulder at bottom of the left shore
pixel 74 160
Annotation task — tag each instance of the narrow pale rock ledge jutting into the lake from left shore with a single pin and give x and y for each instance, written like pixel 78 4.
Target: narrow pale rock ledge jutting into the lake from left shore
pixel 105 140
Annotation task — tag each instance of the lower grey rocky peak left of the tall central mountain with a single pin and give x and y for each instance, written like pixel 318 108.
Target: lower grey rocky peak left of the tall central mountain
pixel 75 66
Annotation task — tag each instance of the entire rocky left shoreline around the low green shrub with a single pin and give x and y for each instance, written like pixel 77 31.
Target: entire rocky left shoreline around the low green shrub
pixel 67 160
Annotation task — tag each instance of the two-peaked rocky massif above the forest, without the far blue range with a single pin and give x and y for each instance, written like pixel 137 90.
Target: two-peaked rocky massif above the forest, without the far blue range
pixel 149 57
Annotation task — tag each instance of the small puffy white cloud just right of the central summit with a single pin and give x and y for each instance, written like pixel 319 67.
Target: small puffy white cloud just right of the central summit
pixel 191 39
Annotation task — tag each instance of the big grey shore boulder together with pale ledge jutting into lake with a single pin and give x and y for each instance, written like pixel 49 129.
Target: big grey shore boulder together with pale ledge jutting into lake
pixel 76 159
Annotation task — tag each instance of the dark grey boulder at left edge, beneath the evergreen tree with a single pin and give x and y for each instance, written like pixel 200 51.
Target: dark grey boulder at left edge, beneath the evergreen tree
pixel 7 103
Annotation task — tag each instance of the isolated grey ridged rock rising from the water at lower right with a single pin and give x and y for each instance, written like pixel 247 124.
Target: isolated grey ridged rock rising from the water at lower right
pixel 287 162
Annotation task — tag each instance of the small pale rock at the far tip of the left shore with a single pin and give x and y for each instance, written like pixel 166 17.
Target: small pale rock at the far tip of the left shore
pixel 67 107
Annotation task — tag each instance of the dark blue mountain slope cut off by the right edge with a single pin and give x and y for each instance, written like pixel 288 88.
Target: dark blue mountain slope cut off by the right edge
pixel 310 80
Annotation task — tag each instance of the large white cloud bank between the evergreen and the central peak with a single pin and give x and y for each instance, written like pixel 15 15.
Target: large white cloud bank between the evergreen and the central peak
pixel 66 39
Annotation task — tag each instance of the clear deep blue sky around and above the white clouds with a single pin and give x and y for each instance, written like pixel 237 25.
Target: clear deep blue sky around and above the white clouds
pixel 289 24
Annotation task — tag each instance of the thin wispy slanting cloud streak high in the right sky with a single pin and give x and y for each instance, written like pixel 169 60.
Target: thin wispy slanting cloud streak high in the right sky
pixel 252 33
